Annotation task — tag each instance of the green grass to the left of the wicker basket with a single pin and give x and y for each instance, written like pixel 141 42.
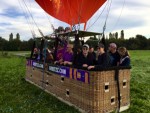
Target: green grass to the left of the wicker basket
pixel 19 96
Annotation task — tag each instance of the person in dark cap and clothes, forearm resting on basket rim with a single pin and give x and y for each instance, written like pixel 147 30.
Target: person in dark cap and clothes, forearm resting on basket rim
pixel 103 58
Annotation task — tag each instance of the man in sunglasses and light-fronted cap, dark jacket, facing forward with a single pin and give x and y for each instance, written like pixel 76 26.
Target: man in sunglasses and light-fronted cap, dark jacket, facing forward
pixel 85 58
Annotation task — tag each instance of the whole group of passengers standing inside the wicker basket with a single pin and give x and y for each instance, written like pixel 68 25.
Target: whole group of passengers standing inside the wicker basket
pixel 86 57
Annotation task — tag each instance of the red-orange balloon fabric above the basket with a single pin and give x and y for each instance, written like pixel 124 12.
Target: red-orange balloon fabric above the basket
pixel 71 11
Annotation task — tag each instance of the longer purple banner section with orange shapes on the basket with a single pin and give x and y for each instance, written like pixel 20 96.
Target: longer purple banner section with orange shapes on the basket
pixel 72 73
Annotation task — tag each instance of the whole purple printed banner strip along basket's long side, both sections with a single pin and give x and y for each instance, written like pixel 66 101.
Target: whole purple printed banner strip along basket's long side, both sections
pixel 72 73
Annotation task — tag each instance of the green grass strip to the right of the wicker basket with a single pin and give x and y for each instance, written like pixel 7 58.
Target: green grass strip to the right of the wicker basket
pixel 140 82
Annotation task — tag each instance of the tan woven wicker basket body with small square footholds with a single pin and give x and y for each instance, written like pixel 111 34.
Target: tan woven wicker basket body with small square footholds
pixel 98 94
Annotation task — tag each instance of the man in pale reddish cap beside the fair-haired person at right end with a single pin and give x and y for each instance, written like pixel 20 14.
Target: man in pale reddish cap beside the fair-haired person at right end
pixel 114 55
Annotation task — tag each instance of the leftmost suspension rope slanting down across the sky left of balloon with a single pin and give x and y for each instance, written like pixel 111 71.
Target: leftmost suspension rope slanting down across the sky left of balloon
pixel 28 20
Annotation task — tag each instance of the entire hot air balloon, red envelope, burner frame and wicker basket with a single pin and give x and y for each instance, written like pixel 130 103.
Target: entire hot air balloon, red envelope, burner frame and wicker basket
pixel 100 90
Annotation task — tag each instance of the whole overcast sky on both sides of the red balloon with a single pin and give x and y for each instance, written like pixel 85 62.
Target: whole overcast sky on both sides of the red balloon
pixel 132 16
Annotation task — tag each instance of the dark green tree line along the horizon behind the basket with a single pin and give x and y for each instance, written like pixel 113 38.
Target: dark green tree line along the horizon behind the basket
pixel 138 42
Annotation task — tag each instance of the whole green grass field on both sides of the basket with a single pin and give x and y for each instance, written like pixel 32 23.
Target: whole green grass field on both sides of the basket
pixel 19 96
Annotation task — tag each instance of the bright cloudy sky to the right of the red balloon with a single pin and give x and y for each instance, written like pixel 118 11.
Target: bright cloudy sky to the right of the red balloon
pixel 131 16
